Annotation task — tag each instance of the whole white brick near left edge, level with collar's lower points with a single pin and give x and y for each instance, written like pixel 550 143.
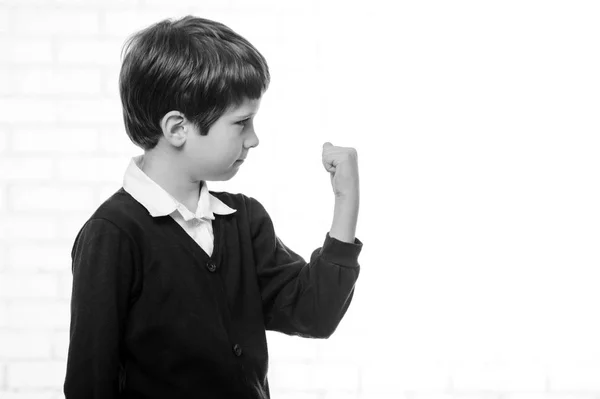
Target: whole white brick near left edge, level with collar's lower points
pixel 50 198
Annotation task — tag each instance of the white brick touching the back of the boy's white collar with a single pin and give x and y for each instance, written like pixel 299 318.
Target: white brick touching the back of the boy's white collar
pixel 93 169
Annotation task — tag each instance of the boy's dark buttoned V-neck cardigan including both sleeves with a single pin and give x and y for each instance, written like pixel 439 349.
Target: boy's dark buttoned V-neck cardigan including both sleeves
pixel 153 316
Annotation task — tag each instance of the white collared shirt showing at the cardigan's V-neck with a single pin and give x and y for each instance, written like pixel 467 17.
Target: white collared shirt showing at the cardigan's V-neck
pixel 158 202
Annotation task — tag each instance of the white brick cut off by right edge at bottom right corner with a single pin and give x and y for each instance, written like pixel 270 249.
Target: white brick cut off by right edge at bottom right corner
pixel 574 378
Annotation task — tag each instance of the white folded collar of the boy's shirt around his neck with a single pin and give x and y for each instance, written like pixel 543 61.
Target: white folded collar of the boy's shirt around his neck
pixel 160 203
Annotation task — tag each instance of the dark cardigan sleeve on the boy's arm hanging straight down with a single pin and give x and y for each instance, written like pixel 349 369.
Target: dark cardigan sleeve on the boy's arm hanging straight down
pixel 103 274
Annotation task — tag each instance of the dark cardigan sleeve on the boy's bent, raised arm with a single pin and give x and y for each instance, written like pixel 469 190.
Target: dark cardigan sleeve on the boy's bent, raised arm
pixel 300 298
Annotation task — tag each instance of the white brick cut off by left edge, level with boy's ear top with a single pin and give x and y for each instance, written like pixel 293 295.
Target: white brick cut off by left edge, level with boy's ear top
pixel 31 110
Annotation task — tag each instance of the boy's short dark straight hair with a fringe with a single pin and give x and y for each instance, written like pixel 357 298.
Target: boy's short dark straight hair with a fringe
pixel 193 65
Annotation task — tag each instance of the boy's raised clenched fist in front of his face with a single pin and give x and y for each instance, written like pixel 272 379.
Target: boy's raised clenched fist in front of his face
pixel 342 164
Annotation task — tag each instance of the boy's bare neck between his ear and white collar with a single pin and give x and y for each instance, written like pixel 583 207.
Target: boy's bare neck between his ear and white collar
pixel 168 174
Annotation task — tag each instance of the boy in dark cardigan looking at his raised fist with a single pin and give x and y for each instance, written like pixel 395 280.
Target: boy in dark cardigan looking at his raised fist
pixel 174 285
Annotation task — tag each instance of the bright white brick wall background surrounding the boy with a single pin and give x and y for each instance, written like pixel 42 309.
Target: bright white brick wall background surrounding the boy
pixel 478 133
